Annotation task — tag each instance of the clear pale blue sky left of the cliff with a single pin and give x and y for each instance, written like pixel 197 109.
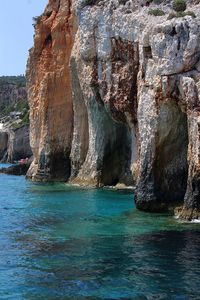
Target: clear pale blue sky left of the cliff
pixel 16 33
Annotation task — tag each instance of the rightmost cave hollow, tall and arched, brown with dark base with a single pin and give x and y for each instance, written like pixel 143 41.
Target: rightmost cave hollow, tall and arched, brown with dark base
pixel 171 166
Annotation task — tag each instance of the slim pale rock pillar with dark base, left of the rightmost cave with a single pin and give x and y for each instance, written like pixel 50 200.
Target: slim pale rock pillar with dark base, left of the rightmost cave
pixel 147 123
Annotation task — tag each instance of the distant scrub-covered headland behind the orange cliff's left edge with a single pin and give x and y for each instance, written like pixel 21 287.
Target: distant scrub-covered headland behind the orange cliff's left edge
pixel 14 128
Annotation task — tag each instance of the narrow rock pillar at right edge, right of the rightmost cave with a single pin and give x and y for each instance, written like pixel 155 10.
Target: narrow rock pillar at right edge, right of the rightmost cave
pixel 191 207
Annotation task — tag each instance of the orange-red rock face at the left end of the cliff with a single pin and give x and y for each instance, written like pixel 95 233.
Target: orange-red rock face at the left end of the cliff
pixel 50 94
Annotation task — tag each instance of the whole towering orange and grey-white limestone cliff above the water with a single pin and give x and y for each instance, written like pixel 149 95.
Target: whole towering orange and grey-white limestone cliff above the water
pixel 114 88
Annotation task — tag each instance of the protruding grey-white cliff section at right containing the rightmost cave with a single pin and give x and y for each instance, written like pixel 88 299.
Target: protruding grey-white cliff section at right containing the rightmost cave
pixel 168 117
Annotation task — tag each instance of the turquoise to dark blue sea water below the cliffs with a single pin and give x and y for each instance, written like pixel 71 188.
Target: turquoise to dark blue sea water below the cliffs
pixel 61 242
